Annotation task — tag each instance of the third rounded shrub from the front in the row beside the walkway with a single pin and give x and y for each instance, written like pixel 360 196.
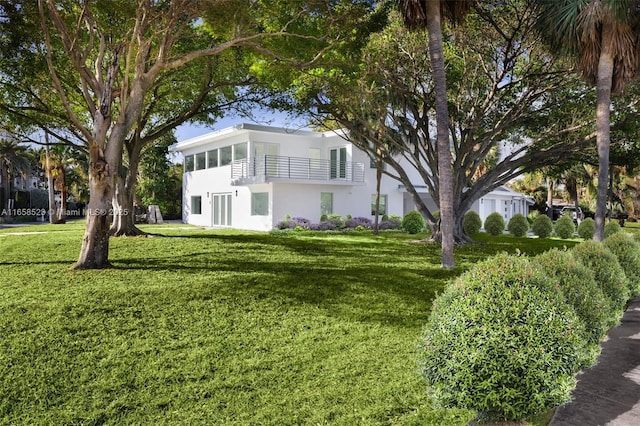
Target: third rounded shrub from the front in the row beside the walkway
pixel 607 272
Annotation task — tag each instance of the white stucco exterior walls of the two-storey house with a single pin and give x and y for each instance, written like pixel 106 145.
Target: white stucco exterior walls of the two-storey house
pixel 216 190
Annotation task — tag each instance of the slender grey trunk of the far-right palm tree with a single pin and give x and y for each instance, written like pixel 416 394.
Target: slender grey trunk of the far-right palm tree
pixel 603 127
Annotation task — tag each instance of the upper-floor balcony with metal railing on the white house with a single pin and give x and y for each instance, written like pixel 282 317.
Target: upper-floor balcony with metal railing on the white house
pixel 275 168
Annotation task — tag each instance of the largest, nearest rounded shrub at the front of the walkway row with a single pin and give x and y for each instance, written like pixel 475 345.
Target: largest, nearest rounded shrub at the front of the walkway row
pixel 501 341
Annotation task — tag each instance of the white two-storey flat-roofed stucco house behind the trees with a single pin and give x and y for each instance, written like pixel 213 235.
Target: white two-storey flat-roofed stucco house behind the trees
pixel 252 176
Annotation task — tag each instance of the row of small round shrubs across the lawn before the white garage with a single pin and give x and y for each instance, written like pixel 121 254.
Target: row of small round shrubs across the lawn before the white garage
pixel 540 225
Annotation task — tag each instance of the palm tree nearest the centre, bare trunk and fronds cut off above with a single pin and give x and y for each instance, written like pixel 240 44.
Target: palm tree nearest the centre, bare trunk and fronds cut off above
pixel 427 14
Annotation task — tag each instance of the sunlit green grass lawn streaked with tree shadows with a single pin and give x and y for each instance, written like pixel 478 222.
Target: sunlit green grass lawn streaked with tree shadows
pixel 222 327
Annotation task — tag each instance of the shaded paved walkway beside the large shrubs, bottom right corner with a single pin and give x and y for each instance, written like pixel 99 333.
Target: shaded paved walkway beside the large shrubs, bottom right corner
pixel 609 392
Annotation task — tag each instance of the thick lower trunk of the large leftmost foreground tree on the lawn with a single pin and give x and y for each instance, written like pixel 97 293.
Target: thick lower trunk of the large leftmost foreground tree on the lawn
pixel 94 253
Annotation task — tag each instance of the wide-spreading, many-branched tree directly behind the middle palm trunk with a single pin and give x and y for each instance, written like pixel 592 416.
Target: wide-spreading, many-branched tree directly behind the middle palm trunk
pixel 513 107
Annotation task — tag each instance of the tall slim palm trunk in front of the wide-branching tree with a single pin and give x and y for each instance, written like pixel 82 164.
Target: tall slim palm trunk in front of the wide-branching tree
pixel 445 178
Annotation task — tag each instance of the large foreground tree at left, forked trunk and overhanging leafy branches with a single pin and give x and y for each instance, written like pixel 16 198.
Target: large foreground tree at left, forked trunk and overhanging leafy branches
pixel 118 51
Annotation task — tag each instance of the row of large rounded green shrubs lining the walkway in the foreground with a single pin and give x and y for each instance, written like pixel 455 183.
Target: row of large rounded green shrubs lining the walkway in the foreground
pixel 507 337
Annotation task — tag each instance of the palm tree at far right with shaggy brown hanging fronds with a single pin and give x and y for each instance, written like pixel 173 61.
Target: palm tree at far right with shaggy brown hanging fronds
pixel 603 37
